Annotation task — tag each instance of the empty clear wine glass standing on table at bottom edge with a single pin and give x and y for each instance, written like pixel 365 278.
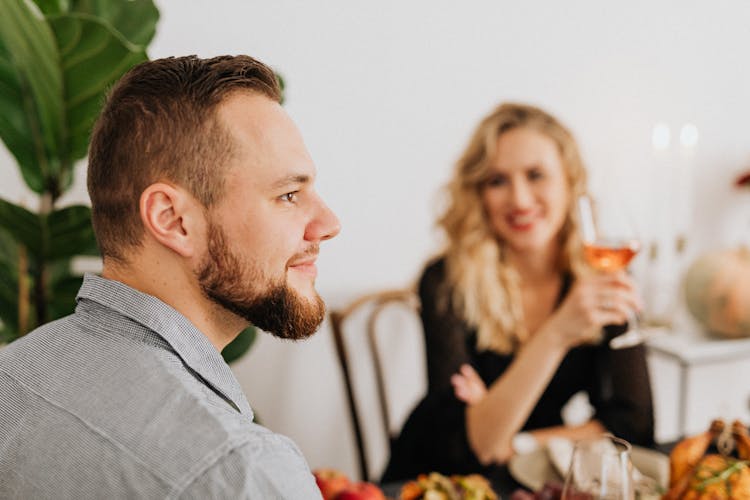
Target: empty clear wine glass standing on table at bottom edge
pixel 600 469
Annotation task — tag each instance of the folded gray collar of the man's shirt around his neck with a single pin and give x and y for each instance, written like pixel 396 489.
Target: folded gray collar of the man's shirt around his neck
pixel 190 344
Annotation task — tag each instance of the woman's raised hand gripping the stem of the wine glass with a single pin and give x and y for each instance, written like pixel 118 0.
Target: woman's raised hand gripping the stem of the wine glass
pixel 594 301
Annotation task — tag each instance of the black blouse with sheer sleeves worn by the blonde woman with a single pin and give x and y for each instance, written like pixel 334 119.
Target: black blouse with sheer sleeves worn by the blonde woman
pixel 434 436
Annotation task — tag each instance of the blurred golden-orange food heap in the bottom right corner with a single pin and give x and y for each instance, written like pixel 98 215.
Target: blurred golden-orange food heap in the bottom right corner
pixel 695 475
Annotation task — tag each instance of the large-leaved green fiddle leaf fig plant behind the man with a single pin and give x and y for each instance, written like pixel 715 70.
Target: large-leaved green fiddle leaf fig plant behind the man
pixel 57 60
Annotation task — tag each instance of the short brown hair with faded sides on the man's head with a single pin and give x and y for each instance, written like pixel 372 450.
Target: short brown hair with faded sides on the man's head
pixel 159 123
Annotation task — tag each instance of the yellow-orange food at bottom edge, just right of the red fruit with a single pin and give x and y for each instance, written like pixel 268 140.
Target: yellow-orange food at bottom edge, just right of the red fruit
pixel 435 486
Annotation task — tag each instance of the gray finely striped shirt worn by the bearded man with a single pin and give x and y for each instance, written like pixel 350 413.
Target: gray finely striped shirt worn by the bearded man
pixel 125 398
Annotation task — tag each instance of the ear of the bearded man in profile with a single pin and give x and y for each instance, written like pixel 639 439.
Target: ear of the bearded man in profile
pixel 172 217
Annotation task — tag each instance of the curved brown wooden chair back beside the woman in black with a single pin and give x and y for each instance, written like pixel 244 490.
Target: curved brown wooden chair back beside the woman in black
pixel 380 334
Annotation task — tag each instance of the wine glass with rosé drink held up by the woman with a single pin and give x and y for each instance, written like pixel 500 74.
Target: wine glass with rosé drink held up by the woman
pixel 609 244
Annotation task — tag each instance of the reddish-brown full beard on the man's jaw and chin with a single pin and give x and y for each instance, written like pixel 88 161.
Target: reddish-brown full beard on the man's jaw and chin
pixel 271 305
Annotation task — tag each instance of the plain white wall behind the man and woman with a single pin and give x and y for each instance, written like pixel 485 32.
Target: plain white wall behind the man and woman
pixel 386 93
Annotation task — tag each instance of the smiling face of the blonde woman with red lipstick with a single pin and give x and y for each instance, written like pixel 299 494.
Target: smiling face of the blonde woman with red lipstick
pixel 526 195
